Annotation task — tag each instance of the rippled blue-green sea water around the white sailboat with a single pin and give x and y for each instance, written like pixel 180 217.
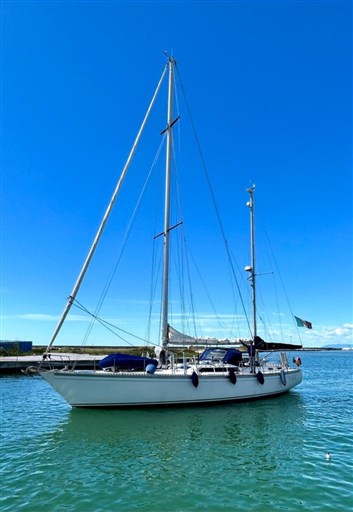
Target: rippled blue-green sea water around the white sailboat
pixel 267 455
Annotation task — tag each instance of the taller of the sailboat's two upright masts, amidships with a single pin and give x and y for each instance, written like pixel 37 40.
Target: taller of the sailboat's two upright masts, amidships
pixel 165 285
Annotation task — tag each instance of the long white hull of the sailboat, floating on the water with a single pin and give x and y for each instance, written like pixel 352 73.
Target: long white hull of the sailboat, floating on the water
pixel 115 389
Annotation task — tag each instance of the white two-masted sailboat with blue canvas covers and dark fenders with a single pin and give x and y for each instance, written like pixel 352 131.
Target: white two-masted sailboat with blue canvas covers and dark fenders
pixel 219 375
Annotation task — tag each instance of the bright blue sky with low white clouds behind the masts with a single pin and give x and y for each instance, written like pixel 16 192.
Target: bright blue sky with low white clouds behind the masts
pixel 269 85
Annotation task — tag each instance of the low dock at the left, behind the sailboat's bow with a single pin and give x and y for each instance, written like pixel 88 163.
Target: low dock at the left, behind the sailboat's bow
pixel 29 364
